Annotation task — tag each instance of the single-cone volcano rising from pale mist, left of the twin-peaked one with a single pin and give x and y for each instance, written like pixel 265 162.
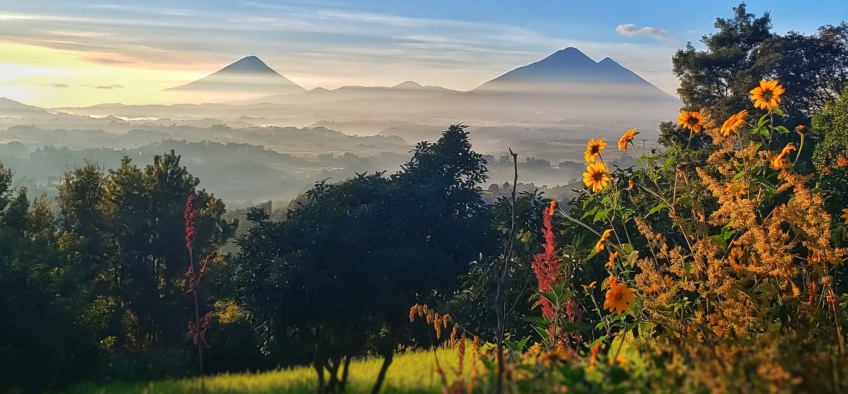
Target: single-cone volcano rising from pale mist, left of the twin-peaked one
pixel 249 75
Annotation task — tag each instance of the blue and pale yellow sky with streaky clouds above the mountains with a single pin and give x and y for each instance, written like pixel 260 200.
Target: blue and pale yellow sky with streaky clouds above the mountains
pixel 60 53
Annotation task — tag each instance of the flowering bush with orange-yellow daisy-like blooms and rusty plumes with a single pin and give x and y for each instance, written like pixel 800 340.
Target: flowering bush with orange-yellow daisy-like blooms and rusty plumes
pixel 719 272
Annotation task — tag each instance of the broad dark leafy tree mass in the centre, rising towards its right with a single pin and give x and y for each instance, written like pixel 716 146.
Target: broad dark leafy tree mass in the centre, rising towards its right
pixel 344 268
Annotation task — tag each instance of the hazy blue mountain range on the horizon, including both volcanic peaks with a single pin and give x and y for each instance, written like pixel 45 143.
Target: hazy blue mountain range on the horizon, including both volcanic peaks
pixel 565 74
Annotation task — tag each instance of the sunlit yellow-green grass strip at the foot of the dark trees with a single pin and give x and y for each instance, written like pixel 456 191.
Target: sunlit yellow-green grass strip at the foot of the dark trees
pixel 412 372
